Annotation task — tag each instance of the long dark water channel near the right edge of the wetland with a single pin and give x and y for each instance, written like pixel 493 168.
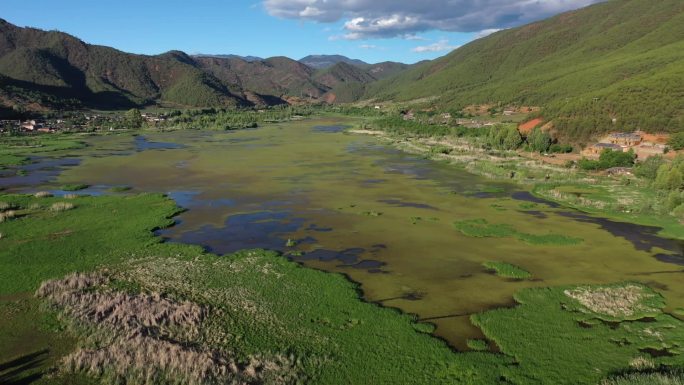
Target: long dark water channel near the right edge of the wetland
pixel 643 238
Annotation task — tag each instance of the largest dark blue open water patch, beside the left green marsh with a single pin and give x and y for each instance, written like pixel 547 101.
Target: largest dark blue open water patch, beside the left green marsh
pixel 257 230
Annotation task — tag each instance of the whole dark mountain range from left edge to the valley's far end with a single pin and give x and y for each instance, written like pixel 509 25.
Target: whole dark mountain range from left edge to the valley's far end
pixel 47 70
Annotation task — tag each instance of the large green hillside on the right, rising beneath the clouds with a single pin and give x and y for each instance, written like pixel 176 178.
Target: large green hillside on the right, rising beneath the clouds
pixel 621 59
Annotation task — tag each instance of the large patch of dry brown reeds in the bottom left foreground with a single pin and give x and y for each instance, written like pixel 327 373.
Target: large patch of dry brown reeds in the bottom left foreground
pixel 148 338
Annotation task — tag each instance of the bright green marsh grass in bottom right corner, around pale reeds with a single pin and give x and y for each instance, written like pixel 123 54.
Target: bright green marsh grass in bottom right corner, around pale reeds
pixel 557 340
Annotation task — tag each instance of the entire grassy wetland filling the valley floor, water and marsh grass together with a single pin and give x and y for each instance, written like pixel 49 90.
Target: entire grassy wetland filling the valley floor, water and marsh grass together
pixel 480 263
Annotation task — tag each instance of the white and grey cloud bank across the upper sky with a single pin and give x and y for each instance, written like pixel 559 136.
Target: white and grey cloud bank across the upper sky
pixel 404 18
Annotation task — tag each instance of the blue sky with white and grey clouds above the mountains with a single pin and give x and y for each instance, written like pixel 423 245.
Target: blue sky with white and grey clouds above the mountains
pixel 371 30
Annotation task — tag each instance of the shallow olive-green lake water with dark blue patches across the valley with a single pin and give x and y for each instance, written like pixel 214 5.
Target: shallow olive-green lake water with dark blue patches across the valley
pixel 353 205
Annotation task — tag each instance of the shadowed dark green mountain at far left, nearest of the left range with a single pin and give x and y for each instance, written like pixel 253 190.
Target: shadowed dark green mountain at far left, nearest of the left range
pixel 61 66
